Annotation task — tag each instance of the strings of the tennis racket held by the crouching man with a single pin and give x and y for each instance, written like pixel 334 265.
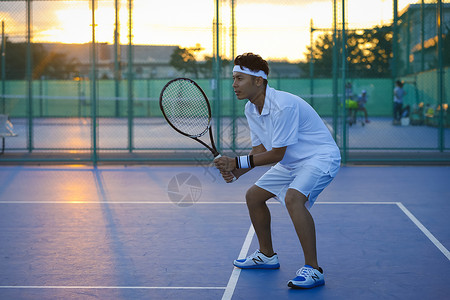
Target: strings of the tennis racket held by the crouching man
pixel 186 108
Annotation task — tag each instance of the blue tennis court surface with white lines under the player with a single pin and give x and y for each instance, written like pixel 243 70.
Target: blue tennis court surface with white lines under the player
pixel 138 232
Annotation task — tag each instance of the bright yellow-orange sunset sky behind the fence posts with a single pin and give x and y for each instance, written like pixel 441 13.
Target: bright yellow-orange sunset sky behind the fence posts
pixel 276 29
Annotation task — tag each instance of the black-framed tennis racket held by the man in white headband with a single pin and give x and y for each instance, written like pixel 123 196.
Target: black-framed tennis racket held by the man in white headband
pixel 187 110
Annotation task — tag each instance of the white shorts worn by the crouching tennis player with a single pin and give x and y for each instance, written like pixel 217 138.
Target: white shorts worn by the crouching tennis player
pixel 307 179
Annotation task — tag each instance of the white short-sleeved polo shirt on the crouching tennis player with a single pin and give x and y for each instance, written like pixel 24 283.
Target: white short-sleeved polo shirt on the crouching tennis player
pixel 288 120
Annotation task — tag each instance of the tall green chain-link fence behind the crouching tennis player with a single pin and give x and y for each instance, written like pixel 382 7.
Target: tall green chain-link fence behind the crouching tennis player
pixel 80 79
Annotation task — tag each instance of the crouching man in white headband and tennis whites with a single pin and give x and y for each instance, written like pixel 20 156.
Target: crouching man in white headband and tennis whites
pixel 286 131
